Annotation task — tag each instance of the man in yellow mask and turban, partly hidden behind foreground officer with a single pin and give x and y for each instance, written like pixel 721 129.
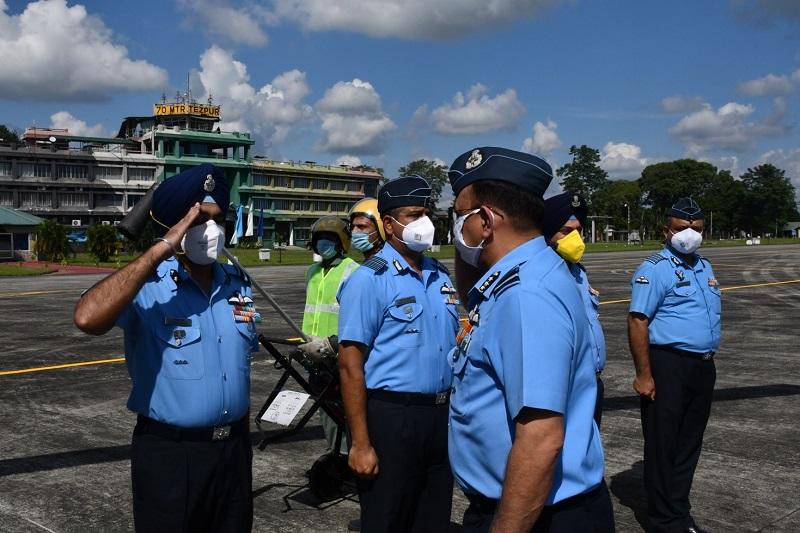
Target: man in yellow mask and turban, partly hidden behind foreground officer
pixel 564 216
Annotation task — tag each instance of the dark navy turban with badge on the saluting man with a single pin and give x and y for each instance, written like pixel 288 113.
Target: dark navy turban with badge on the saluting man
pixel 176 195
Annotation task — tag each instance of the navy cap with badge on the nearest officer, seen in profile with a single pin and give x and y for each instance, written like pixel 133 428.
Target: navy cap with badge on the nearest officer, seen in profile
pixel 527 171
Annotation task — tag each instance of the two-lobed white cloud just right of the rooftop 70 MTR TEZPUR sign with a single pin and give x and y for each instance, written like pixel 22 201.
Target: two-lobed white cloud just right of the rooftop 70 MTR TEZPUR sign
pixel 272 113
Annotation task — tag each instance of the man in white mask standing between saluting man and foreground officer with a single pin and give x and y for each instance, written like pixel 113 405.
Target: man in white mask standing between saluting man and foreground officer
pixel 398 319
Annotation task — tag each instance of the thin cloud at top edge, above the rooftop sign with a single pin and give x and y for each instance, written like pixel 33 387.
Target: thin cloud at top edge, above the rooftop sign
pixel 221 20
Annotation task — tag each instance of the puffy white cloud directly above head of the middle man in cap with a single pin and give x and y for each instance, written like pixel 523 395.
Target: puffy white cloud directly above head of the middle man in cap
pixel 353 120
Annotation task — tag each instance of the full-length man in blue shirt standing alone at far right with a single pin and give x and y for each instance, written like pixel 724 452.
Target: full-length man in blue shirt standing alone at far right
pixel 673 332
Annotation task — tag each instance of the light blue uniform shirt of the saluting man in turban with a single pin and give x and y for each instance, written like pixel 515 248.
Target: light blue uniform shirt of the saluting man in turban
pixel 188 358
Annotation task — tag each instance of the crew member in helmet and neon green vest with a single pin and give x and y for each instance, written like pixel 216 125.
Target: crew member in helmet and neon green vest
pixel 330 239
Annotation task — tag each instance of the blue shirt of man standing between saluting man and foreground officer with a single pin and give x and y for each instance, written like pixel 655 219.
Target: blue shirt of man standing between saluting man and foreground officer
pixel 408 323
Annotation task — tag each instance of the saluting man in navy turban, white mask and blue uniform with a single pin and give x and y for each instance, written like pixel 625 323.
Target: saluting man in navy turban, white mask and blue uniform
pixel 189 327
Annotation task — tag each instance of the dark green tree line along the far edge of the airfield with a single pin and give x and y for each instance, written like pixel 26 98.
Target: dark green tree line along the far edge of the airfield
pixel 757 203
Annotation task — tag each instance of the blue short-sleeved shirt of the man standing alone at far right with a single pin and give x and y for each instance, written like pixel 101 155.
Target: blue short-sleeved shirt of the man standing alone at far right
pixel 683 303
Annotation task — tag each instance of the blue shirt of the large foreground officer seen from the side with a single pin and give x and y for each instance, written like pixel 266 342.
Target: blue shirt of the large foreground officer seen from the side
pixel 527 345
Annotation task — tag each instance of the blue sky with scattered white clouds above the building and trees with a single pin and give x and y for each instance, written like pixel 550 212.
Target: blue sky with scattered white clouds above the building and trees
pixel 384 82
